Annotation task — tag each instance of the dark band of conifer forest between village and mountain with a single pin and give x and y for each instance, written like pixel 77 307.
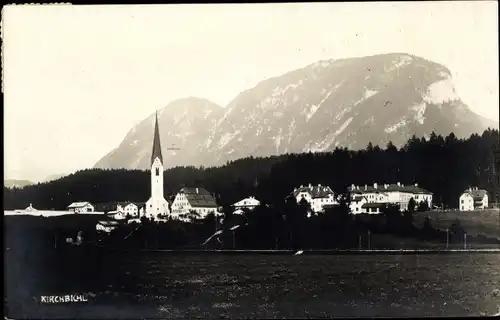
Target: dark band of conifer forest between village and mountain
pixel 443 165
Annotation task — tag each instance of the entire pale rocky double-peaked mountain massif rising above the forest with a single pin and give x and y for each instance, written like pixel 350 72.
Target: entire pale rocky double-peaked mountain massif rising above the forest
pixel 345 103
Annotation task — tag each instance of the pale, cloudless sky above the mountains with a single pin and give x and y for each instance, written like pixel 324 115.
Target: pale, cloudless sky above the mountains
pixel 78 78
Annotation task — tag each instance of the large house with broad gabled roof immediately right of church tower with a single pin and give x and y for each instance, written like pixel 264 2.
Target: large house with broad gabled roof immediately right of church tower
pixel 193 199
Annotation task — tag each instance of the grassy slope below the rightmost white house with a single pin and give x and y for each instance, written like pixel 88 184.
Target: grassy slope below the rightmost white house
pixel 480 222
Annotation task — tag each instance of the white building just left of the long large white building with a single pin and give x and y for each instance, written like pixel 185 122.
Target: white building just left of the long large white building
pixel 317 196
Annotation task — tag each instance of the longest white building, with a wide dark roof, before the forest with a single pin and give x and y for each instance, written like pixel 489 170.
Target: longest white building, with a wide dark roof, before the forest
pixel 372 199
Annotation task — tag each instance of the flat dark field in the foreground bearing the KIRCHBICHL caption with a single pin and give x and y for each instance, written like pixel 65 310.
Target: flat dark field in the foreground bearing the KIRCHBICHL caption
pixel 147 285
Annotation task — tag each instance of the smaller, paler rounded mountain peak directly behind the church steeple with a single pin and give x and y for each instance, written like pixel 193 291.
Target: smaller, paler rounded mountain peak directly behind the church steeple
pixel 184 124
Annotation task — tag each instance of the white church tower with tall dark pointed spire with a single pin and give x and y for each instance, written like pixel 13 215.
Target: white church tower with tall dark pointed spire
pixel 156 205
